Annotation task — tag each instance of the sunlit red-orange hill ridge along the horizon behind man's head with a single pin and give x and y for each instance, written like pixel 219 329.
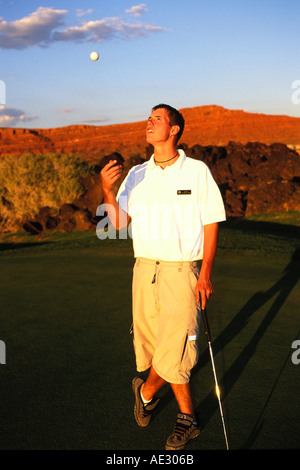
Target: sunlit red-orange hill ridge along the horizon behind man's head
pixel 205 125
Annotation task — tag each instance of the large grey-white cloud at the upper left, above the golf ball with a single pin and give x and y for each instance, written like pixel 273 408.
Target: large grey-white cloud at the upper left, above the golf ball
pixel 45 26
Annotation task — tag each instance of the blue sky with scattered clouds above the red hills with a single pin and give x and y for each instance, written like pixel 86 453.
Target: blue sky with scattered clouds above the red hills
pixel 240 54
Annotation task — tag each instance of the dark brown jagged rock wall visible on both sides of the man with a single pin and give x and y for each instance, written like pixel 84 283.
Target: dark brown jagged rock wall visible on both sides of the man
pixel 253 178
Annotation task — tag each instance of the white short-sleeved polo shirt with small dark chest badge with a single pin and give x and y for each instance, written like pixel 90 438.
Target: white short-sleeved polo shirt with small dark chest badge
pixel 169 208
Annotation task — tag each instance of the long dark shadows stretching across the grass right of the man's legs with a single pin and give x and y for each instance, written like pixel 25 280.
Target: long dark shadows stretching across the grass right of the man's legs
pixel 280 292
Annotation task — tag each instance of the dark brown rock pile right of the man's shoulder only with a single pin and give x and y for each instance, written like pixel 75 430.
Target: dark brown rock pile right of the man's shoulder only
pixel 254 178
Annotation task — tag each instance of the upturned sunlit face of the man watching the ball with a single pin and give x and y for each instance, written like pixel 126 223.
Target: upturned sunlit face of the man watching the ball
pixel 158 127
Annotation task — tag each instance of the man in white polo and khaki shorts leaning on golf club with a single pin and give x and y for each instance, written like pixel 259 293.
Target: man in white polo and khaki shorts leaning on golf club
pixel 174 206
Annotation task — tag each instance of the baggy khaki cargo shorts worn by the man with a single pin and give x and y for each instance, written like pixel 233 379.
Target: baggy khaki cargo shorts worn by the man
pixel 166 318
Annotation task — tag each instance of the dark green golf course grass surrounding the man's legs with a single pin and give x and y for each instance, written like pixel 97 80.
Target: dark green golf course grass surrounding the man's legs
pixel 65 316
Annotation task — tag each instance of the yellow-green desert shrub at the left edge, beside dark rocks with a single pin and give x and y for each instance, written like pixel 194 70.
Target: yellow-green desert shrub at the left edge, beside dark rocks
pixel 30 182
